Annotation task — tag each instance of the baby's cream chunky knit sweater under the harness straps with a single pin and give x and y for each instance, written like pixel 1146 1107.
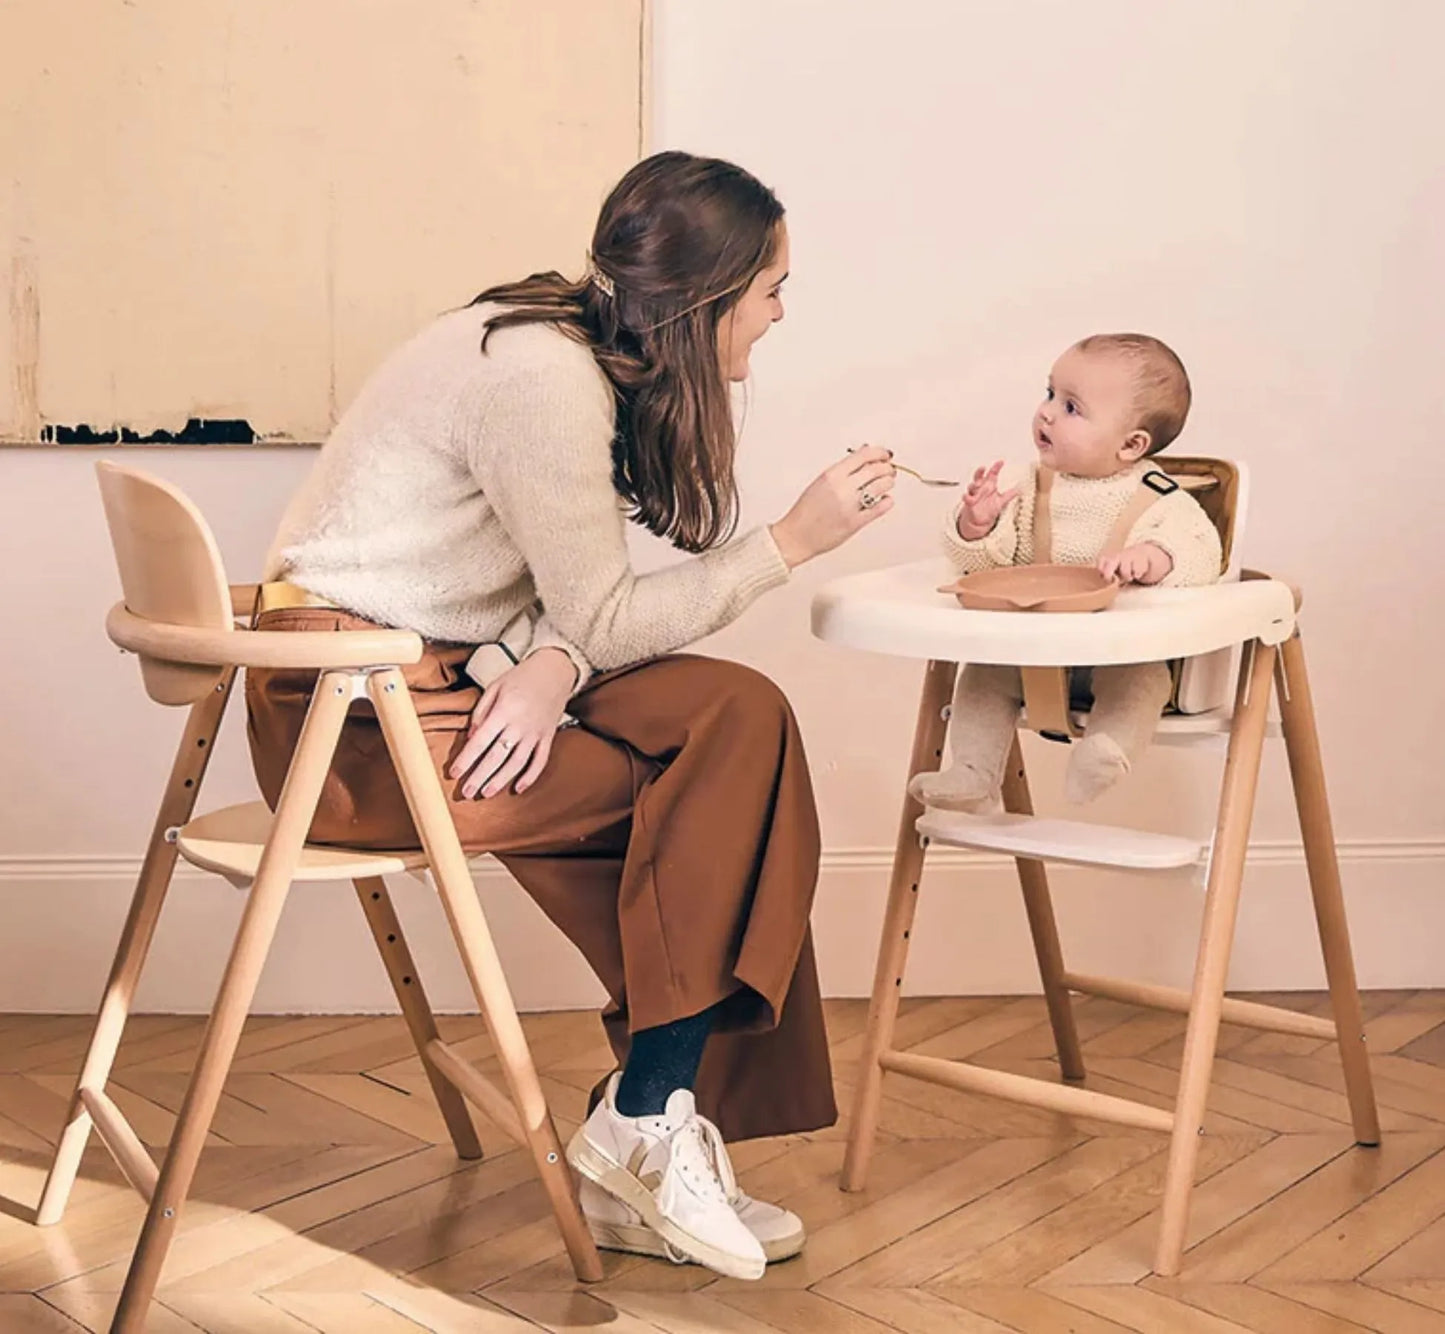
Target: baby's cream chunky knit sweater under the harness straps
pixel 1084 512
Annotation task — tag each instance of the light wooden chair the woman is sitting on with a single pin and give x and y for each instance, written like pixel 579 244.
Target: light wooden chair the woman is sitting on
pixel 180 616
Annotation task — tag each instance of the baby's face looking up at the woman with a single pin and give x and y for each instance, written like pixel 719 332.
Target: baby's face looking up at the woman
pixel 1087 418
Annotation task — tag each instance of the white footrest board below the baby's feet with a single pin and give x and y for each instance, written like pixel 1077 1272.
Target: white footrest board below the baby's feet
pixel 1044 839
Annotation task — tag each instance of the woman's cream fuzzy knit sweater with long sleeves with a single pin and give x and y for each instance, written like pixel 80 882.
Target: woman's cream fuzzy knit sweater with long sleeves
pixel 462 492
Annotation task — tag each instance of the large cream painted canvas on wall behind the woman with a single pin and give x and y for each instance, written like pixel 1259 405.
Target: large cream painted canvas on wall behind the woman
pixel 216 216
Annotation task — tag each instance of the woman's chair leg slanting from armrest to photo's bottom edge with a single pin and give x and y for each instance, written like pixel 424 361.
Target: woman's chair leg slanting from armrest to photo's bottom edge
pixel 264 907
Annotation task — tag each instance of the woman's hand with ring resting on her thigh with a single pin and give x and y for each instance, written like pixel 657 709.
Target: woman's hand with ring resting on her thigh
pixel 514 725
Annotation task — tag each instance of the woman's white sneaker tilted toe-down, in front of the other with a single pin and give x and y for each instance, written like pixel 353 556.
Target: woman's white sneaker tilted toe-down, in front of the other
pixel 673 1173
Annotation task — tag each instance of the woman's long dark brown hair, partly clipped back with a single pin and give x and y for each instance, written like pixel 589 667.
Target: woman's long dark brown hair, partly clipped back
pixel 677 245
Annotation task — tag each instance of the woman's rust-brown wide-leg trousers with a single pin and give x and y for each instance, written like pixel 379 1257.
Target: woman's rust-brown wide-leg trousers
pixel 673 838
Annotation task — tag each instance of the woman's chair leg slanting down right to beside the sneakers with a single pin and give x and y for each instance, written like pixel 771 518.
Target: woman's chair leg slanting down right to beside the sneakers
pixel 469 924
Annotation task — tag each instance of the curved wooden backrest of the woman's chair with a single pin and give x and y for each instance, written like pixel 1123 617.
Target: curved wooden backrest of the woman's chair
pixel 170 569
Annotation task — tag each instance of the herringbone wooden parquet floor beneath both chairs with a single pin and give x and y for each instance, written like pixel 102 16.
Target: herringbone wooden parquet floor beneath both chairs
pixel 330 1199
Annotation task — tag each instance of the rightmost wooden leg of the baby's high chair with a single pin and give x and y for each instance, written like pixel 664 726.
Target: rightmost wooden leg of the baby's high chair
pixel 1307 773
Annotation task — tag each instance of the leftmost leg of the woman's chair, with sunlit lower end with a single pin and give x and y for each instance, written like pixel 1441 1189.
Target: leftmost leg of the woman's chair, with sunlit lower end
pixel 177 804
